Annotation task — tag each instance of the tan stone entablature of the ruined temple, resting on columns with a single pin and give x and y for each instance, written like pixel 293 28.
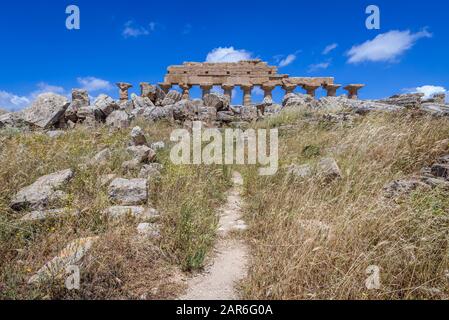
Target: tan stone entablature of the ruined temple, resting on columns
pixel 246 75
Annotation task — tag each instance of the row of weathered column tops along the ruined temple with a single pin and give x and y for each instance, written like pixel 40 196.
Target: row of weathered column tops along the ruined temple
pixel 331 90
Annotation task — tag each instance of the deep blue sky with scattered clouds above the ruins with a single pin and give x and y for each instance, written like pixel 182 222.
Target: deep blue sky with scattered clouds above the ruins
pixel 136 40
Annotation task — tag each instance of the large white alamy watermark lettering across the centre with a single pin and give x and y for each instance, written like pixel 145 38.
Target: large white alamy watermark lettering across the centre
pixel 232 146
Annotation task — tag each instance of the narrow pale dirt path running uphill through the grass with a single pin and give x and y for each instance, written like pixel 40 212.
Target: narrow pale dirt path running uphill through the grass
pixel 229 265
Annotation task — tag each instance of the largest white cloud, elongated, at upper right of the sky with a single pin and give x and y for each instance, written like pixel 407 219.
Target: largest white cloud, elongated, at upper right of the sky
pixel 386 47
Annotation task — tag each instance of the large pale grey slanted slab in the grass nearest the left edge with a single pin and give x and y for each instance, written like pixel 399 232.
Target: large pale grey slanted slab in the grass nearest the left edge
pixel 42 192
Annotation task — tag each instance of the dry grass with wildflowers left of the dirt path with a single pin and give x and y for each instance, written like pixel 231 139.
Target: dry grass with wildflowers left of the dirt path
pixel 120 266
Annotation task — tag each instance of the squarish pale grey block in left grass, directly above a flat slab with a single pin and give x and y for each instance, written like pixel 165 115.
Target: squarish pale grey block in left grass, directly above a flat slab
pixel 128 192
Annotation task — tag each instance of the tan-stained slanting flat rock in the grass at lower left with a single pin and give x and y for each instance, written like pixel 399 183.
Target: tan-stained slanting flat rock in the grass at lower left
pixel 71 255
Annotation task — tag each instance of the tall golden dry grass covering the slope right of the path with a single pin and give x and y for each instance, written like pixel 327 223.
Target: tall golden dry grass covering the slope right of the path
pixel 315 241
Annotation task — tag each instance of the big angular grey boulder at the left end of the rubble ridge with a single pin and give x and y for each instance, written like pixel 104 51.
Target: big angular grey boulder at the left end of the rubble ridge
pixel 46 111
